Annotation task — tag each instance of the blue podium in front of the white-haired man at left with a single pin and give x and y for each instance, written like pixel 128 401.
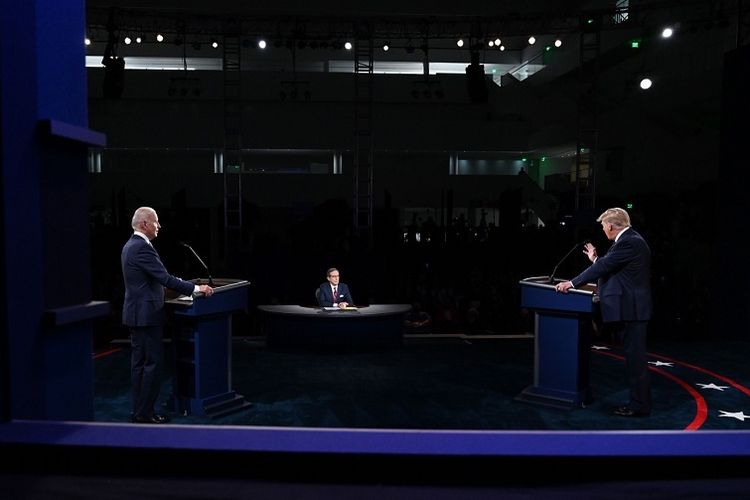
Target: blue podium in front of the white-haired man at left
pixel 202 346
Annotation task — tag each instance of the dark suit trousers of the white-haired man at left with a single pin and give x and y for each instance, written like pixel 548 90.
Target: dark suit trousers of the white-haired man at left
pixel 145 367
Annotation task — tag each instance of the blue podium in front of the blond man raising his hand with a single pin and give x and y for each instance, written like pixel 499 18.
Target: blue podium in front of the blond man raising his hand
pixel 561 343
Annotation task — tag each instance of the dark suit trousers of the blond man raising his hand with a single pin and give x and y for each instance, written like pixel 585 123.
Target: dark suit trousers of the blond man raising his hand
pixel 632 334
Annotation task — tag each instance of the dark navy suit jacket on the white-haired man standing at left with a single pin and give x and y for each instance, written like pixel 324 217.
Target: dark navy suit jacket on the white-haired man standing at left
pixel 145 279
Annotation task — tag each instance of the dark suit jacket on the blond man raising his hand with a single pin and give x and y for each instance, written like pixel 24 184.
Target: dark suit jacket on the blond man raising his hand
pixel 623 277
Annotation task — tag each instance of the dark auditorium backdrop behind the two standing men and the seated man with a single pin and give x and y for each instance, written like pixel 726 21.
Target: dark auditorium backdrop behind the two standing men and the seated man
pixel 666 154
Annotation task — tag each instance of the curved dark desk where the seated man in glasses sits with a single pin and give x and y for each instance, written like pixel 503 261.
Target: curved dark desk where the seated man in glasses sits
pixel 298 326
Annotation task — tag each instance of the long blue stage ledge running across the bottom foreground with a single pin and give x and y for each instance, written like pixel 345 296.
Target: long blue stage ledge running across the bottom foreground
pixel 381 441
